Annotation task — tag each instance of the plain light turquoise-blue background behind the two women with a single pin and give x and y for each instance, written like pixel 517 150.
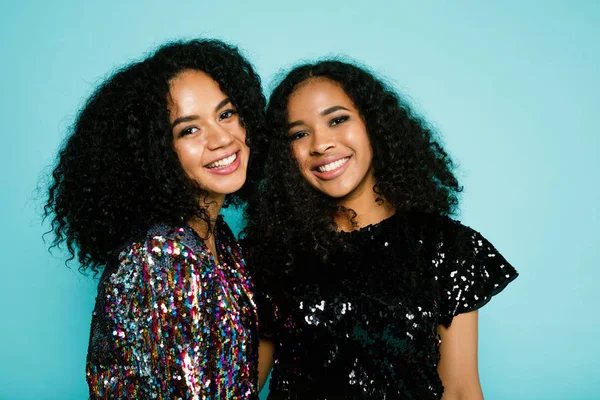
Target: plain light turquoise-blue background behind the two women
pixel 512 86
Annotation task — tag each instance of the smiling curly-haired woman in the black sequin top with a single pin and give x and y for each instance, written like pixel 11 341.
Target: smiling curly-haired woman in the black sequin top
pixel 368 290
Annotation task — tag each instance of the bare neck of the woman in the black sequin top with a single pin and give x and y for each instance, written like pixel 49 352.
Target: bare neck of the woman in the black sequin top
pixel 368 210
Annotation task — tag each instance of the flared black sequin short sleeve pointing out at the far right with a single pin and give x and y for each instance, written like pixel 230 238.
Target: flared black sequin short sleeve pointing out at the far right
pixel 470 271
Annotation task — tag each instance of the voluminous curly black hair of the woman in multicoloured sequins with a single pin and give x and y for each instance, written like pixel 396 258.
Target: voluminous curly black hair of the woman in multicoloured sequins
pixel 118 174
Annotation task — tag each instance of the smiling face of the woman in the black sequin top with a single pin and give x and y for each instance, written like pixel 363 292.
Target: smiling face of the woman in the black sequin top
pixel 329 140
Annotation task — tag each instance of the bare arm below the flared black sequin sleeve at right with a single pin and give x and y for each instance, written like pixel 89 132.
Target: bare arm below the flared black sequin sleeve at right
pixel 458 364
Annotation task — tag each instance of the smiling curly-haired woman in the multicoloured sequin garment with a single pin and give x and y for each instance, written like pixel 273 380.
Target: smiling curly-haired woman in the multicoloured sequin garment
pixel 153 156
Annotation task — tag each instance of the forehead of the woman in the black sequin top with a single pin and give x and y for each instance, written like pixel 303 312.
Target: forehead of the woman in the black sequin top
pixel 316 94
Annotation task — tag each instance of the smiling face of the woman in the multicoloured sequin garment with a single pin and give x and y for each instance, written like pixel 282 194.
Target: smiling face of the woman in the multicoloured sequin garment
pixel 208 136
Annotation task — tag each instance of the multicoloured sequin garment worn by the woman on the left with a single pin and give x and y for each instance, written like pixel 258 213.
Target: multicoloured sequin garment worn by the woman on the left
pixel 171 323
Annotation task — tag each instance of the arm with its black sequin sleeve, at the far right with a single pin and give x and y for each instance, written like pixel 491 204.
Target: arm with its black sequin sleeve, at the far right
pixel 470 271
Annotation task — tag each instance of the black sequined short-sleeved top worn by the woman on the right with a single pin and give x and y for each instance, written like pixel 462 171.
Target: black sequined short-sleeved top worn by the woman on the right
pixel 364 326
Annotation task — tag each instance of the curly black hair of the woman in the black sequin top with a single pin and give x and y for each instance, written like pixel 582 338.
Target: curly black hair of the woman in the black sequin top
pixel 412 170
